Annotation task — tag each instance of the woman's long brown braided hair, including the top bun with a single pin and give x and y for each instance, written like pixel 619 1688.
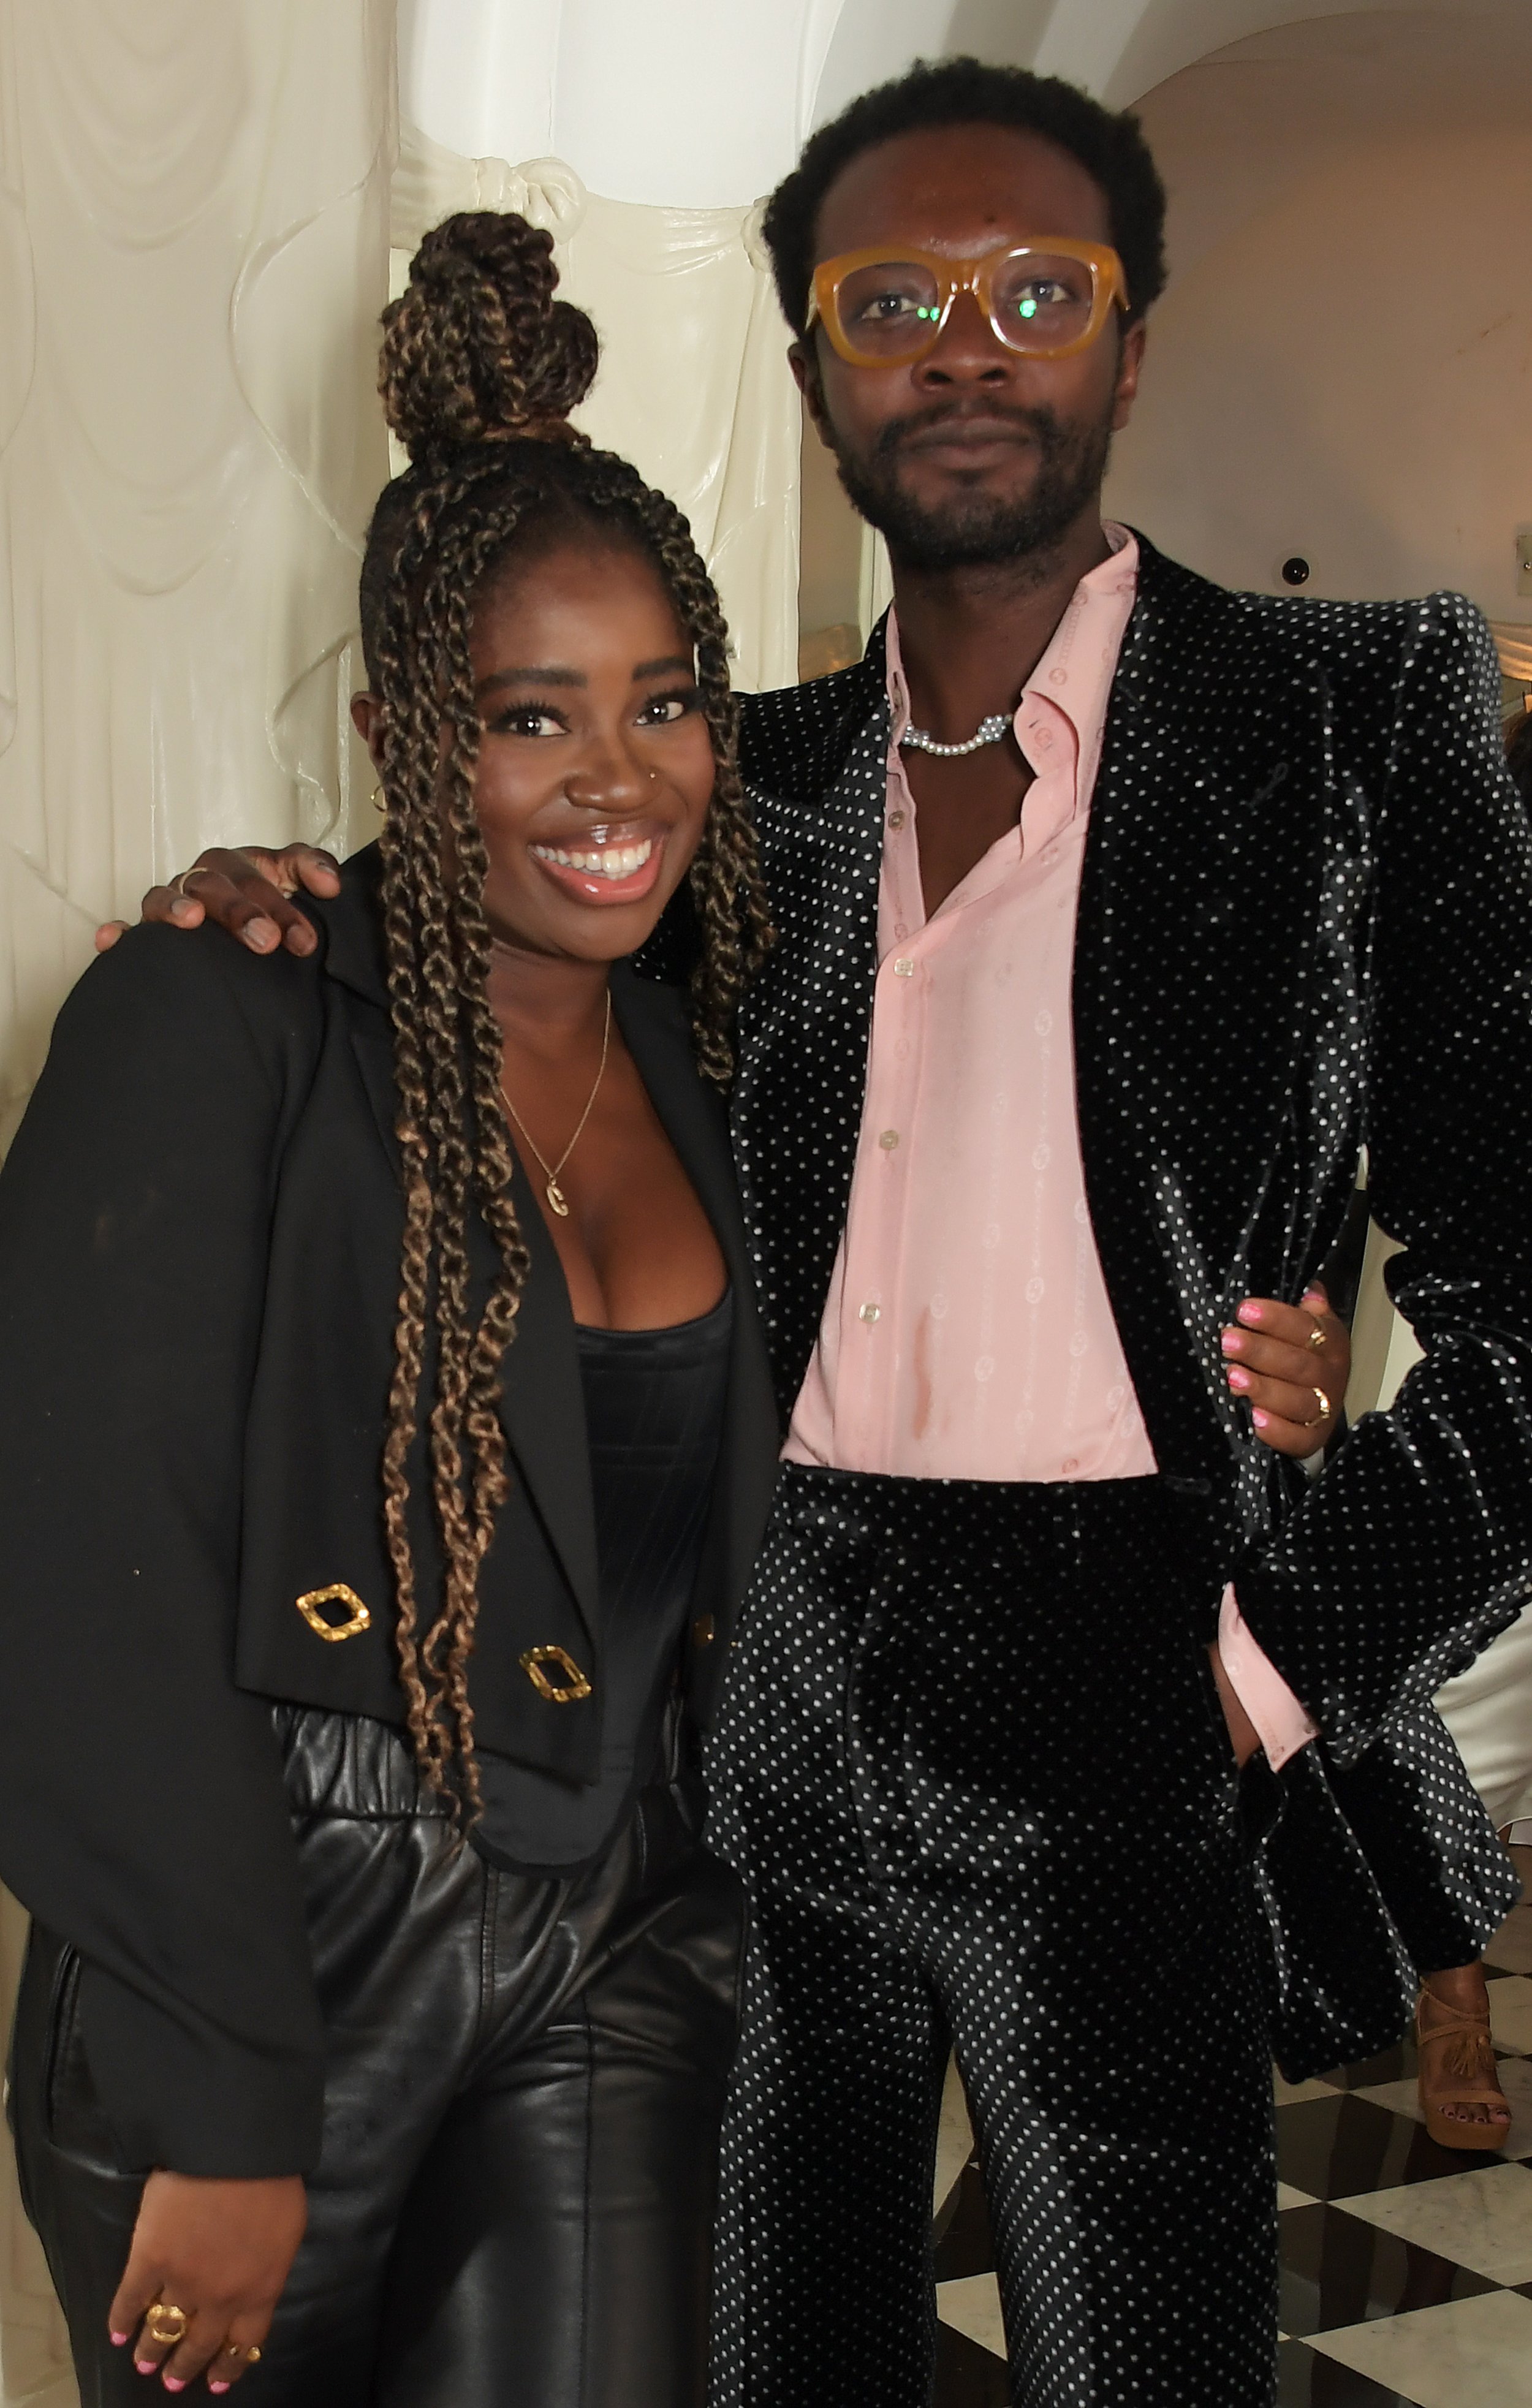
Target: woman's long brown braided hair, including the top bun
pixel 481 370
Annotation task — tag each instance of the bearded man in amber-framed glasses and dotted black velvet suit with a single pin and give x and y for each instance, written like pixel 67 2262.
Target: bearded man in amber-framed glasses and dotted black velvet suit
pixel 1116 914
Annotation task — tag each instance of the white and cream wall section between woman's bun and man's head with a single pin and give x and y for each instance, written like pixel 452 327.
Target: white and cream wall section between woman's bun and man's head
pixel 642 138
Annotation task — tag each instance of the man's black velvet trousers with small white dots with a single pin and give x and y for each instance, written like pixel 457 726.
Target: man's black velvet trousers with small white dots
pixel 977 1776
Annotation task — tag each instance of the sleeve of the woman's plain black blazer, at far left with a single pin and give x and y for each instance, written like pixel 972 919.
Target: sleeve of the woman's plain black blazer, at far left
pixel 141 1795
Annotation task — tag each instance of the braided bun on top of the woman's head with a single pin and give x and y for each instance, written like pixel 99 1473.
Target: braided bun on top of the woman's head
pixel 478 348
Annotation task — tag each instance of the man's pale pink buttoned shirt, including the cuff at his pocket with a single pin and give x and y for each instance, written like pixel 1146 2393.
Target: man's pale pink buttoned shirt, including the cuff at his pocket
pixel 967 1330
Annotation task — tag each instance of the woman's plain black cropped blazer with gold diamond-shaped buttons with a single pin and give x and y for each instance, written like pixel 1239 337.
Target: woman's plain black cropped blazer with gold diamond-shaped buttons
pixel 199 1275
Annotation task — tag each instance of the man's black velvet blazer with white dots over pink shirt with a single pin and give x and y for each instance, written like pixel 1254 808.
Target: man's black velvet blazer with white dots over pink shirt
pixel 1304 928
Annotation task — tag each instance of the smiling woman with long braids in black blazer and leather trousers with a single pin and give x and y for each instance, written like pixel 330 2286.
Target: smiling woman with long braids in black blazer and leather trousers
pixel 387 1444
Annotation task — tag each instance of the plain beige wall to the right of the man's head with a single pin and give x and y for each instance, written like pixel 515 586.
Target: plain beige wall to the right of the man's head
pixel 1343 365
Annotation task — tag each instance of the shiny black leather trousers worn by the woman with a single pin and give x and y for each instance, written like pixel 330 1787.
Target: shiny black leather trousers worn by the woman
pixel 522 2118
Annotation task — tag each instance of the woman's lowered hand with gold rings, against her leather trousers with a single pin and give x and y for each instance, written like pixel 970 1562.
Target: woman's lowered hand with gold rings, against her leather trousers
pixel 220 2253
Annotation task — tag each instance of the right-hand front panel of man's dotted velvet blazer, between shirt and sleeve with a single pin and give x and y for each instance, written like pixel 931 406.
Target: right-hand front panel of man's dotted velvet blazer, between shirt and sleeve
pixel 1191 984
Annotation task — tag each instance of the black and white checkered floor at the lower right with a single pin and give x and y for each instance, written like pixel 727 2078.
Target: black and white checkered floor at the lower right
pixel 1406 2267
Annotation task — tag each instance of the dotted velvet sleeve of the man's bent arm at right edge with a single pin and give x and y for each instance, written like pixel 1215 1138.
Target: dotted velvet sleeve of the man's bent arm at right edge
pixel 1415 1545
